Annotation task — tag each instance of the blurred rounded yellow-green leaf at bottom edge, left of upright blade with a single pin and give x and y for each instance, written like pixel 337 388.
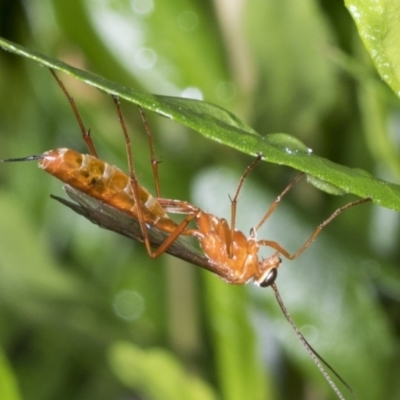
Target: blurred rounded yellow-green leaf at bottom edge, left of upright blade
pixel 156 373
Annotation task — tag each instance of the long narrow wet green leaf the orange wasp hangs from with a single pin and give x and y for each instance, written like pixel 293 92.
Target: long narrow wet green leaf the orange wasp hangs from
pixel 220 125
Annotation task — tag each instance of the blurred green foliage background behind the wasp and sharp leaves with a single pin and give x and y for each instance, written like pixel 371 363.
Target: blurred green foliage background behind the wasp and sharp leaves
pixel 85 314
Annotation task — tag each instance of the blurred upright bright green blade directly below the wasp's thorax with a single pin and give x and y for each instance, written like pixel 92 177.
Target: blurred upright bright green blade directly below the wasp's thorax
pixel 239 368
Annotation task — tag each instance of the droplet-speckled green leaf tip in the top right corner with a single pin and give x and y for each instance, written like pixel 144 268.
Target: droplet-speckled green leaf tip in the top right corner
pixel 379 28
